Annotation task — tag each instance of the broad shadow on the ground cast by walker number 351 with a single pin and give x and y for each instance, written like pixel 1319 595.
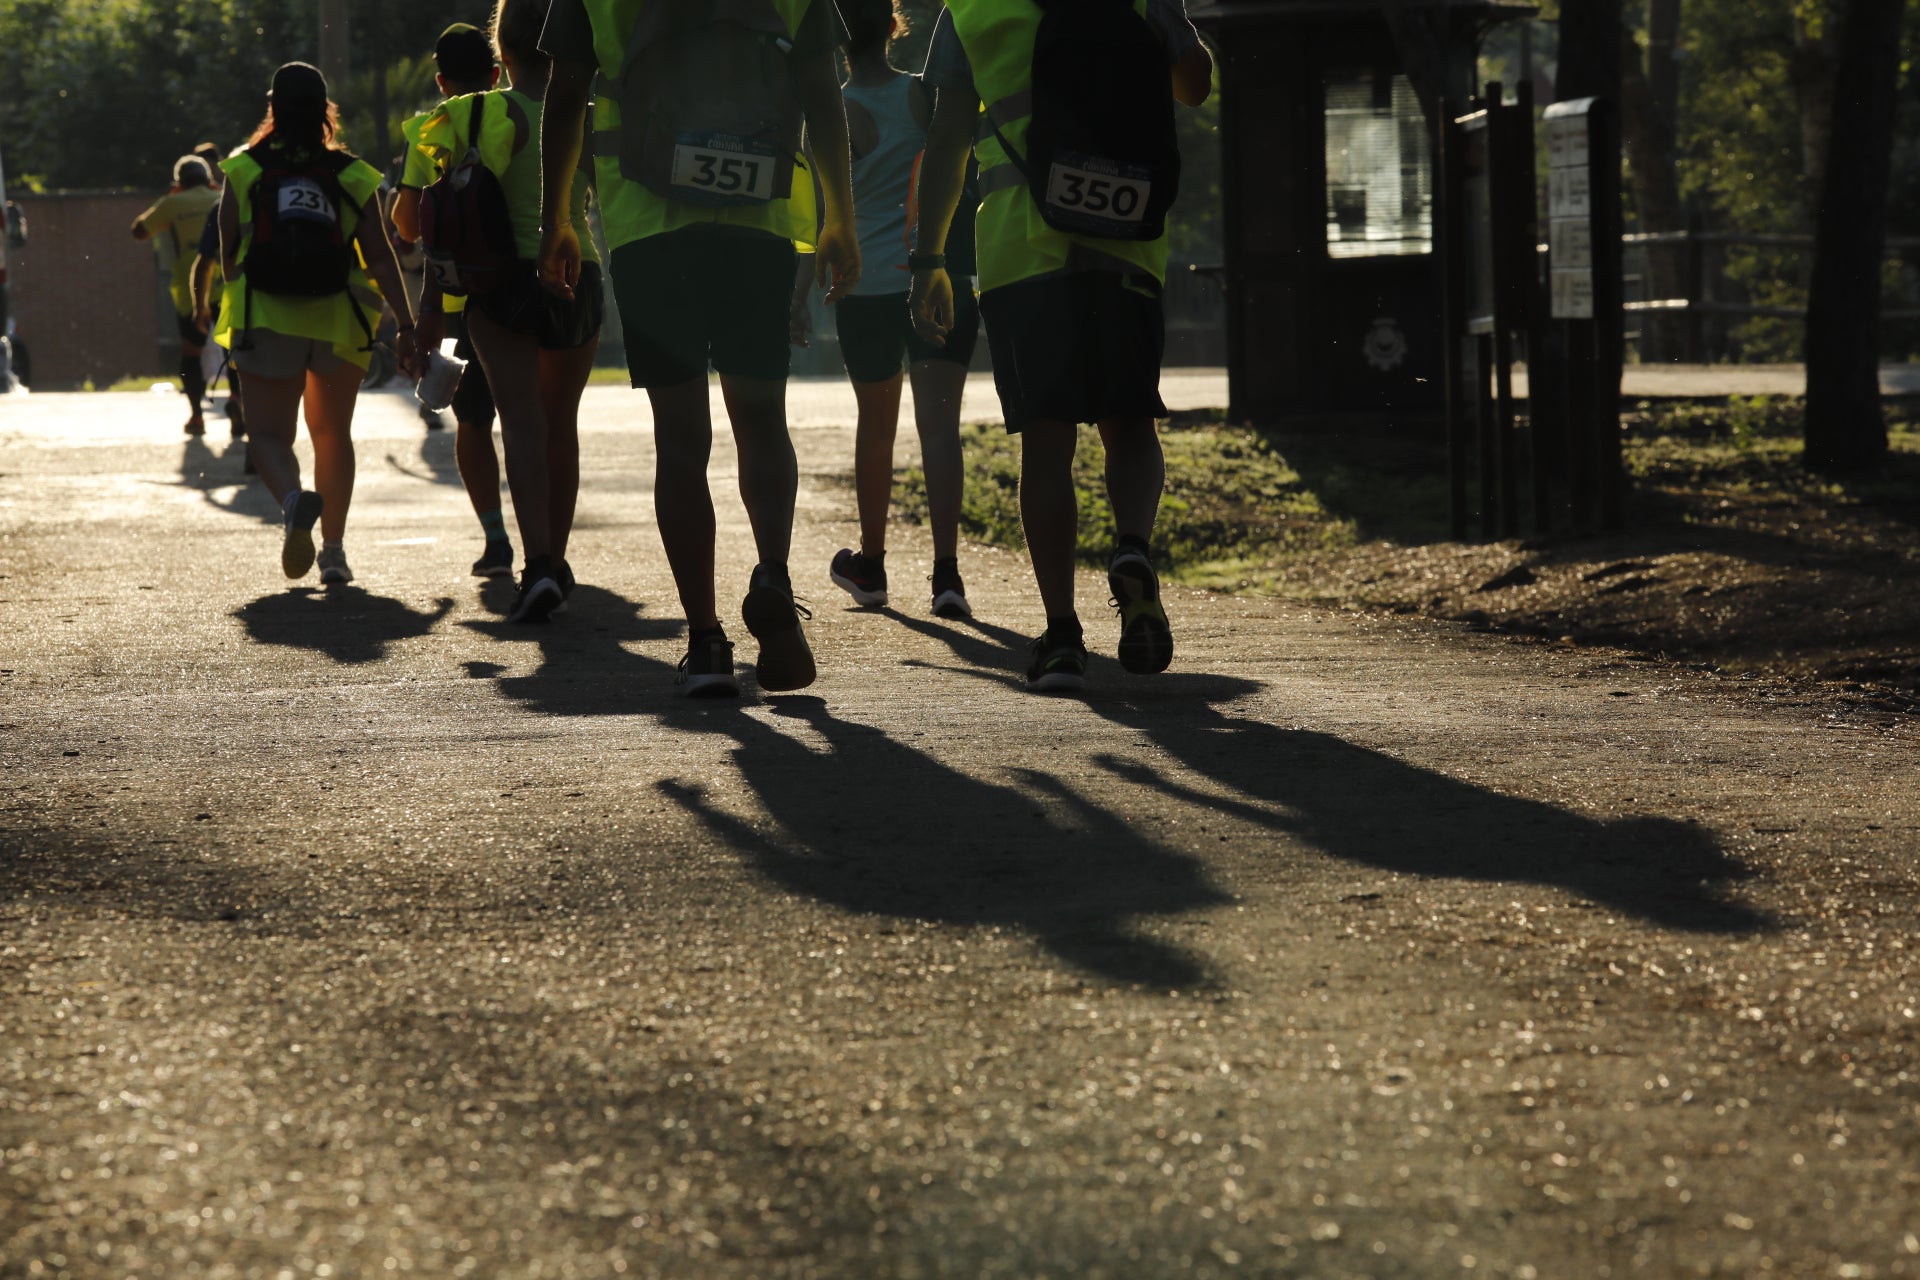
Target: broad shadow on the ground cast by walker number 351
pixel 1042 861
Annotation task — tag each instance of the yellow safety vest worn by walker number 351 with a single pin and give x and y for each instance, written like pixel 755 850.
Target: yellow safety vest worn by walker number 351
pixel 629 210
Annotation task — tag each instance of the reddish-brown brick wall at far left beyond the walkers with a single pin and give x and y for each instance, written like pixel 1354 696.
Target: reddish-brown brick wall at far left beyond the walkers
pixel 89 300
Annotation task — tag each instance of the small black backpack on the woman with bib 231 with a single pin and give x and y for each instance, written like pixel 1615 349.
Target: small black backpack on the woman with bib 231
pixel 300 247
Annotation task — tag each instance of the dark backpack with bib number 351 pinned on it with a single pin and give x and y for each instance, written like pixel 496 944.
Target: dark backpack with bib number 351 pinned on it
pixel 708 107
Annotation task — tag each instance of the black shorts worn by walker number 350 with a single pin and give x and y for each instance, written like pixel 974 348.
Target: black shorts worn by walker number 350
pixel 1076 348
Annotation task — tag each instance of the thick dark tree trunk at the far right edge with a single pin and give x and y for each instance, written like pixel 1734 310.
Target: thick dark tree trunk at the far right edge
pixel 1846 429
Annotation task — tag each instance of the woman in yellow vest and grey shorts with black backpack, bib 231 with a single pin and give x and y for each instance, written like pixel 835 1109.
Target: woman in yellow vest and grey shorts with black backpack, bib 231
pixel 297 210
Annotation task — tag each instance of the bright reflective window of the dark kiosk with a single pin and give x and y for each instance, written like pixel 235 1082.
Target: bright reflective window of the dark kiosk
pixel 1380 170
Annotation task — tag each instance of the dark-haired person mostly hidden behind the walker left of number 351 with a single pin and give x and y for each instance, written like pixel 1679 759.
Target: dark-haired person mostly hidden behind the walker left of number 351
pixel 464 66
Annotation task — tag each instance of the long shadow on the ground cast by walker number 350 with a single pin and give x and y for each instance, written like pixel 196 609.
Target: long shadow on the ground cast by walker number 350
pixel 1374 811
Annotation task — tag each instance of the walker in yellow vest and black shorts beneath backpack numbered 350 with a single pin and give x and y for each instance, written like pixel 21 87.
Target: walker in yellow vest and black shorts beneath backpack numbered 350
pixel 1074 321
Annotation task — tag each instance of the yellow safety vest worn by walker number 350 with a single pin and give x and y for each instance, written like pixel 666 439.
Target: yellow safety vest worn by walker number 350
pixel 1015 241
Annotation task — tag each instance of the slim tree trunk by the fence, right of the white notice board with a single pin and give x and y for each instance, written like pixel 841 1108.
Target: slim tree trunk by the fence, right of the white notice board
pixel 1650 124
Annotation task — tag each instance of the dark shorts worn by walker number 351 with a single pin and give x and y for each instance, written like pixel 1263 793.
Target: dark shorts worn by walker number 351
pixel 704 296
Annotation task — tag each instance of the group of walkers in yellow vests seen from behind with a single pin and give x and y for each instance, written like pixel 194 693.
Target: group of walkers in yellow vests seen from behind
pixel 734 174
